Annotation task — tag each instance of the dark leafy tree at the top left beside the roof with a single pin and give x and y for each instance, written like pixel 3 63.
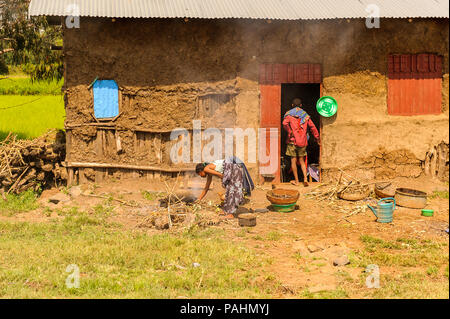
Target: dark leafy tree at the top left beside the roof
pixel 28 41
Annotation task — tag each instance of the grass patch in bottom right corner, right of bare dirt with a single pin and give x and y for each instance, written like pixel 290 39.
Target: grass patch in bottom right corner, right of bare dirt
pixel 421 268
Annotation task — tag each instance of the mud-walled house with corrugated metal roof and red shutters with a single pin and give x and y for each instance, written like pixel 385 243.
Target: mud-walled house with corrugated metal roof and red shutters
pixel 135 70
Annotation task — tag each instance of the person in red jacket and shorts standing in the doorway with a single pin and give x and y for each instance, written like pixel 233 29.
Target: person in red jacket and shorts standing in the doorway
pixel 296 123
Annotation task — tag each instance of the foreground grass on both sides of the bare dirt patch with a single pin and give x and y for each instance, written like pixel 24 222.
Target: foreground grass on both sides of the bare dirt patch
pixel 115 262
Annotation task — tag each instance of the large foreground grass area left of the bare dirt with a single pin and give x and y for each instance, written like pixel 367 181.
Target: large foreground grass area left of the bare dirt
pixel 123 264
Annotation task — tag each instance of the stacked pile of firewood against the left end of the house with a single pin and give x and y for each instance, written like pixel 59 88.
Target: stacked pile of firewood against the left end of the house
pixel 31 164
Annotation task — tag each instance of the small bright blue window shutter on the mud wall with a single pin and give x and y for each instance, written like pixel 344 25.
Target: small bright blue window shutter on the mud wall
pixel 106 99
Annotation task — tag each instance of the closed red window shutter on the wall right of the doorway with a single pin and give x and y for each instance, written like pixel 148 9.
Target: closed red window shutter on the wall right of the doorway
pixel 414 84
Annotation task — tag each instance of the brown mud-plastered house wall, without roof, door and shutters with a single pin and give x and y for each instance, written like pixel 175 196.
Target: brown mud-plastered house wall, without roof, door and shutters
pixel 171 71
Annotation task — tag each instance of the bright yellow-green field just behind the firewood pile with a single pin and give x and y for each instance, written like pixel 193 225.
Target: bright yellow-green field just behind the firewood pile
pixel 33 118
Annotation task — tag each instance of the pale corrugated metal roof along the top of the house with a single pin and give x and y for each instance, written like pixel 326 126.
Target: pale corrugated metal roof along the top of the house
pixel 247 9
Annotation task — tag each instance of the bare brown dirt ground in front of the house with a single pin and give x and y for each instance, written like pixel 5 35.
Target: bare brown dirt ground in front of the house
pixel 315 231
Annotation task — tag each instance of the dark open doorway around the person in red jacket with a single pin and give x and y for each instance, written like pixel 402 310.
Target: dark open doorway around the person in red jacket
pixel 309 94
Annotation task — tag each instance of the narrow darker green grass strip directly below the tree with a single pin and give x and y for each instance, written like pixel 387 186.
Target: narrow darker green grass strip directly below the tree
pixel 14 85
